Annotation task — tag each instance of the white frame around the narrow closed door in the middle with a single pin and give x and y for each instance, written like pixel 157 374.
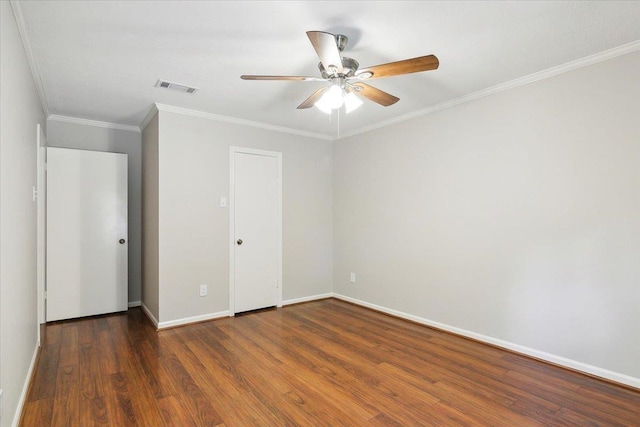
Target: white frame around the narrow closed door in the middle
pixel 278 155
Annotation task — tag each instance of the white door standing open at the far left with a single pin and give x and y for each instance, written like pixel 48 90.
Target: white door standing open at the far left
pixel 86 233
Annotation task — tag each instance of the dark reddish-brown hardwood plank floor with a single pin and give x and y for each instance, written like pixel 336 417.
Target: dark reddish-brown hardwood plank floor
pixel 323 363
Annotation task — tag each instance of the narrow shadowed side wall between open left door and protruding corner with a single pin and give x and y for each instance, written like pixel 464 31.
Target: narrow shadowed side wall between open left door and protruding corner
pixel 150 254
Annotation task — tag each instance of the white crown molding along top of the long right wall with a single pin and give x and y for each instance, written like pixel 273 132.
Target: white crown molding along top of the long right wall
pixel 541 75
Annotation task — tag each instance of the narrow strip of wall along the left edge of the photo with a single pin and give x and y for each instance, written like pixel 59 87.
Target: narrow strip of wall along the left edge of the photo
pixel 21 111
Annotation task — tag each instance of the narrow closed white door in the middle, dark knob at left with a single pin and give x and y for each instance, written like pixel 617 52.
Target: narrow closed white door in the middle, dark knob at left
pixel 256 229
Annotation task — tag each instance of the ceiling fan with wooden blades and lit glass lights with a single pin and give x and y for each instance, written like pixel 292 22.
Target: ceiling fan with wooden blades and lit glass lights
pixel 346 79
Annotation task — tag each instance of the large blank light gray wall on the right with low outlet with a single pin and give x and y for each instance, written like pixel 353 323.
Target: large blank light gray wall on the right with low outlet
pixel 516 216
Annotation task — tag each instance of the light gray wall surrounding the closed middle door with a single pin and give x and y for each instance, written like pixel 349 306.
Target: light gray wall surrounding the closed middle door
pixel 194 231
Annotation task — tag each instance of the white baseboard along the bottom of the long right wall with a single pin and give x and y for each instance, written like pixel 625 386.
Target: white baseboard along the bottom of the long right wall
pixel 574 365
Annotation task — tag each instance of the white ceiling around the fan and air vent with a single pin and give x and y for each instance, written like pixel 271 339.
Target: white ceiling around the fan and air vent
pixel 100 60
